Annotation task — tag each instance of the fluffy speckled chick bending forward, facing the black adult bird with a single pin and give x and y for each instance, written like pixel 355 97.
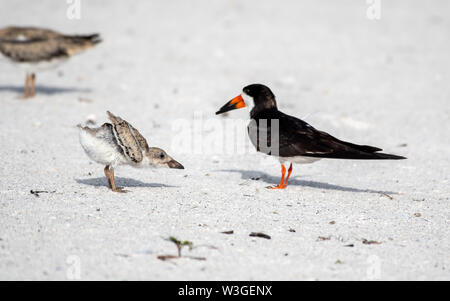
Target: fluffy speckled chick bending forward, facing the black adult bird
pixel 119 143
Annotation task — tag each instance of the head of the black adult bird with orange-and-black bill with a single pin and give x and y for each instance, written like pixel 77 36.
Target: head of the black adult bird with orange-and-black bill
pixel 258 96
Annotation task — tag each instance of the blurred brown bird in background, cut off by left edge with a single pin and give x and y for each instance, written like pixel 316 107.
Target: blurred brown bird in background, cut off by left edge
pixel 38 49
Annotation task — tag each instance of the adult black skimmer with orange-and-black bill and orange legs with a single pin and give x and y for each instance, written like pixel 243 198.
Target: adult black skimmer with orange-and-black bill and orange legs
pixel 298 142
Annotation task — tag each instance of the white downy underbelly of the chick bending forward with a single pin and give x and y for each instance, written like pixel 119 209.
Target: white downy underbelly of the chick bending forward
pixel 99 150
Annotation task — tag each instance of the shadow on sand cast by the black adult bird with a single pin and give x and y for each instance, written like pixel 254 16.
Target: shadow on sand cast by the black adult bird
pixel 294 181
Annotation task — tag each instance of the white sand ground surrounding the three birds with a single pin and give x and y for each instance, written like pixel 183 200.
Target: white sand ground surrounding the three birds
pixel 383 83
